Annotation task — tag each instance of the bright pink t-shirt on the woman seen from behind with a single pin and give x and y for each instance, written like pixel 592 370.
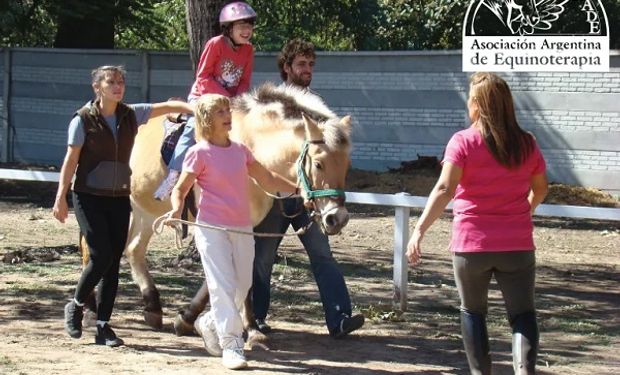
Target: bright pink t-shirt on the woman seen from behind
pixel 491 211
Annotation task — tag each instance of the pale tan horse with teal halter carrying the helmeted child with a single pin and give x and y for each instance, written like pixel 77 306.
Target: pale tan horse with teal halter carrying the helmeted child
pixel 290 131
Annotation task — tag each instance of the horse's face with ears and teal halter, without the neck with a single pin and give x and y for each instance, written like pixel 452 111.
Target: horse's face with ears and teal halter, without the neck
pixel 322 168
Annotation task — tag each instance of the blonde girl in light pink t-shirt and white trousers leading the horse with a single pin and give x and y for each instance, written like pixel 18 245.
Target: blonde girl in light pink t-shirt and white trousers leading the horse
pixel 221 168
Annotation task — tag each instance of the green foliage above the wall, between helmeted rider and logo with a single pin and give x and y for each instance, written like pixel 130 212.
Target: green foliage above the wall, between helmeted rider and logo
pixel 361 24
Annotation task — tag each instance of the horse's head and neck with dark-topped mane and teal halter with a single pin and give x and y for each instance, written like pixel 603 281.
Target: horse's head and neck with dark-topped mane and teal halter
pixel 292 132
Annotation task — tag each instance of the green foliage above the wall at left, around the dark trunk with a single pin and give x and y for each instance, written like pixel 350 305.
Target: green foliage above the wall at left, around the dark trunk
pixel 140 24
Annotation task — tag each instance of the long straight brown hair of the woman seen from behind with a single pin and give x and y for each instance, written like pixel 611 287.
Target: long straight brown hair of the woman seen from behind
pixel 508 143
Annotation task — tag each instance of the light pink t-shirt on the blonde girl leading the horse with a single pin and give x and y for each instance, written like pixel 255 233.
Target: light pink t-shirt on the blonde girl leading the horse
pixel 222 174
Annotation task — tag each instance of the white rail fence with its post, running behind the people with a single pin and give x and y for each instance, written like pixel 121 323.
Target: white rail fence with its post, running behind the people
pixel 402 202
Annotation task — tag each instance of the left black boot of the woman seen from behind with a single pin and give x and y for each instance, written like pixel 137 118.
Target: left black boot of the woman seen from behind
pixel 476 342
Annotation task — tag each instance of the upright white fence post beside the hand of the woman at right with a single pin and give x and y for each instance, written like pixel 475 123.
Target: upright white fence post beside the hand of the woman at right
pixel 401 237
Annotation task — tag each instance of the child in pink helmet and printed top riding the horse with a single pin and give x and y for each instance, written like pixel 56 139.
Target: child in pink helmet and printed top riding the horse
pixel 225 68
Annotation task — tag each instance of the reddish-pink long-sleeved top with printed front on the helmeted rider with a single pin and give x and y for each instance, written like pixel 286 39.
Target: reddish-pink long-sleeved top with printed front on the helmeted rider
pixel 223 70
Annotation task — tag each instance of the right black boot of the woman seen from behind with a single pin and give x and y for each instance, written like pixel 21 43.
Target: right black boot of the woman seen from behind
pixel 524 343
